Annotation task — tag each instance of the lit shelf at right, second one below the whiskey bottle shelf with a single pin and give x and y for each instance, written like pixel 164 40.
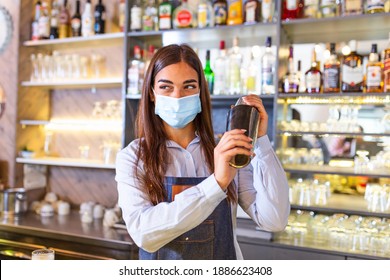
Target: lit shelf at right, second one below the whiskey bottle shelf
pixel 326 169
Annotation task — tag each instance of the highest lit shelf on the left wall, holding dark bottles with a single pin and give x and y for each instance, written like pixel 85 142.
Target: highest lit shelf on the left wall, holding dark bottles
pixel 96 39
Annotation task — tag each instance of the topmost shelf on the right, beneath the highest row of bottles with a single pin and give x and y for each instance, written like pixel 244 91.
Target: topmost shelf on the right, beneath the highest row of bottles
pixel 356 27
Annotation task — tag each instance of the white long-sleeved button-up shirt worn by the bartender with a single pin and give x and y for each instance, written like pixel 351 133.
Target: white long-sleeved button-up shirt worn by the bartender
pixel 262 194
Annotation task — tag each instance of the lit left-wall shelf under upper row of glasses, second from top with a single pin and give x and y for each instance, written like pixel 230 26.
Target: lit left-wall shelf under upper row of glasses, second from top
pixel 87 83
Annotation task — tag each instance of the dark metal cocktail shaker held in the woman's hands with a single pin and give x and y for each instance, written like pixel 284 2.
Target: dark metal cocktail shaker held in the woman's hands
pixel 243 116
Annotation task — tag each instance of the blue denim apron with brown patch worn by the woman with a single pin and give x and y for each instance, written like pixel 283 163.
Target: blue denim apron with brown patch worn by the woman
pixel 212 239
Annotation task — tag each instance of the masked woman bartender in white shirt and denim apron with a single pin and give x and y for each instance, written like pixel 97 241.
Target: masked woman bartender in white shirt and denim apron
pixel 177 191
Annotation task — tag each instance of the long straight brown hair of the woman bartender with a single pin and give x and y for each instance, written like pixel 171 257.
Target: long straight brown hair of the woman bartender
pixel 152 146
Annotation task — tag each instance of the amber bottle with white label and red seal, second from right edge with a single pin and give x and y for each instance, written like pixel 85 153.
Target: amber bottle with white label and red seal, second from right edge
pixel 374 71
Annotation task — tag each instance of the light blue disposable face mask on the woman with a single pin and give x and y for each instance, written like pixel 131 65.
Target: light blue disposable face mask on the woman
pixel 177 112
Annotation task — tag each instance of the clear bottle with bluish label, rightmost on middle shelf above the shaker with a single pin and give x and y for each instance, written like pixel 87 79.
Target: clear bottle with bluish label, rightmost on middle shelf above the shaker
pixel 268 61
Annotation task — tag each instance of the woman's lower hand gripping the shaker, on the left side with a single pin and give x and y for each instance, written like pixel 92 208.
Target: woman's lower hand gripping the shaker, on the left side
pixel 232 143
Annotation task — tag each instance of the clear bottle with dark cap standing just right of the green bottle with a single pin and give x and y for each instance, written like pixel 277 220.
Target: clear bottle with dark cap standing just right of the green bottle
pixel 220 73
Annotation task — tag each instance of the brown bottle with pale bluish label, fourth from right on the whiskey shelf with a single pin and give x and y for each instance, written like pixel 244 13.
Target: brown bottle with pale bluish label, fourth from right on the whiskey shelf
pixel 332 72
